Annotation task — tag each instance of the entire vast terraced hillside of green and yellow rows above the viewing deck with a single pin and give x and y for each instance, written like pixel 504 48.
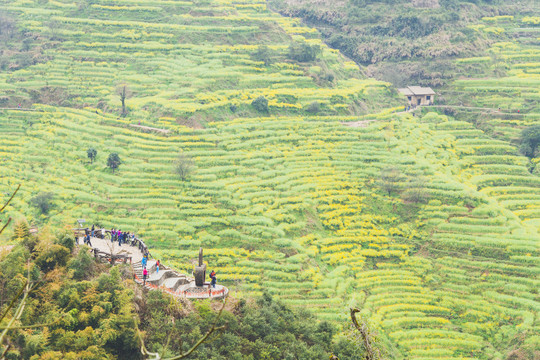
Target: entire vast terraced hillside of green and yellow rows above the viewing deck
pixel 428 224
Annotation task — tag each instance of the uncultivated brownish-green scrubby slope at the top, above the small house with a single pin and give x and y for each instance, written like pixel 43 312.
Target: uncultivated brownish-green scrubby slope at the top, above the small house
pixel 401 41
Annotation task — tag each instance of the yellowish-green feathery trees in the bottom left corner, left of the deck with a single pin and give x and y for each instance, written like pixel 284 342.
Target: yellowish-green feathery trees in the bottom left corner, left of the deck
pixel 87 319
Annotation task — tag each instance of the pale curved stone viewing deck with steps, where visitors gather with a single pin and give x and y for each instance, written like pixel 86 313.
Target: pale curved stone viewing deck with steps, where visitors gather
pixel 166 279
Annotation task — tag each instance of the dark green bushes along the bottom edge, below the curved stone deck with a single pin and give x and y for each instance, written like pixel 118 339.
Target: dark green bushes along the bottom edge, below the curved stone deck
pixel 266 329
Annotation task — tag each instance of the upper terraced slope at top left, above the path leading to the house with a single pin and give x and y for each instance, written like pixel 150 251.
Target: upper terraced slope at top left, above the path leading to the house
pixel 178 59
